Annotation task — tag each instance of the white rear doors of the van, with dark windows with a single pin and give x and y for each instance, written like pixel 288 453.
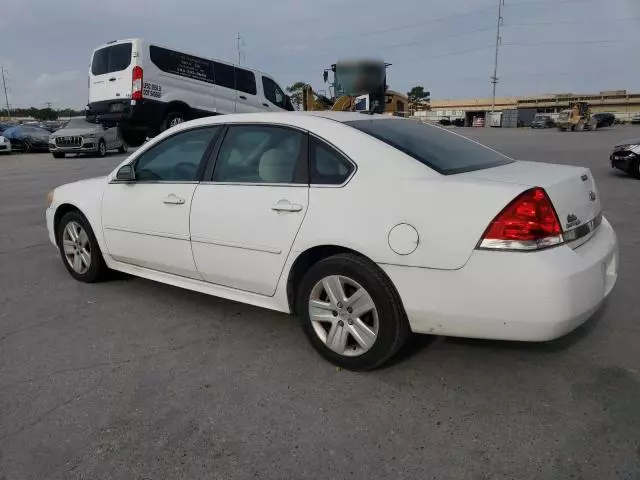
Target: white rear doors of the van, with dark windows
pixel 110 73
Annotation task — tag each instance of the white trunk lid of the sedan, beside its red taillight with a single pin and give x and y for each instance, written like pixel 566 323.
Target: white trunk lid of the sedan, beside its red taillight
pixel 572 190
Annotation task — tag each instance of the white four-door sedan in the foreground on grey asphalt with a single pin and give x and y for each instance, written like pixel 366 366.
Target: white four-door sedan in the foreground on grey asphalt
pixel 367 227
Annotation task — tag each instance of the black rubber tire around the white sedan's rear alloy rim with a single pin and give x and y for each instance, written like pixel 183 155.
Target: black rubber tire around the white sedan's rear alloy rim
pixel 393 326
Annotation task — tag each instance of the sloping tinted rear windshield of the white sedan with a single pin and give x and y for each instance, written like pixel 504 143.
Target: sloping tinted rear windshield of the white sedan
pixel 435 147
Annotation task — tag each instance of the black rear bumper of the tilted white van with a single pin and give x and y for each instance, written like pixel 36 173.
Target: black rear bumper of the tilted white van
pixel 143 114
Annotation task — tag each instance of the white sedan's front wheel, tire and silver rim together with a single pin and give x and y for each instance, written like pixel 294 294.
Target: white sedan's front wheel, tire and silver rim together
pixel 79 249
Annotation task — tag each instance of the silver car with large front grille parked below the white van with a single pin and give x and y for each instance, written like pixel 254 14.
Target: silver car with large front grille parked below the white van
pixel 81 136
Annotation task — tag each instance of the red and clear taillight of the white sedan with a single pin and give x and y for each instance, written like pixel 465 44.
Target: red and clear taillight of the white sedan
pixel 529 222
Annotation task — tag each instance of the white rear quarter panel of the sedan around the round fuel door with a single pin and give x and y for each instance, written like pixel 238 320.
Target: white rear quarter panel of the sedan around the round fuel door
pixel 450 213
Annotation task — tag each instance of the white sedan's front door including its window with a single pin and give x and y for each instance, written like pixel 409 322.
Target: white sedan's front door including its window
pixel 146 221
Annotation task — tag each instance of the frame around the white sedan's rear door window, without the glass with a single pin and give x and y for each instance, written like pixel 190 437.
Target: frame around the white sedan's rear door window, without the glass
pixel 301 169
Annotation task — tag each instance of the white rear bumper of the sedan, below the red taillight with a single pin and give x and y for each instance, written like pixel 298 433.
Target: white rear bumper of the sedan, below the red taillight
pixel 535 296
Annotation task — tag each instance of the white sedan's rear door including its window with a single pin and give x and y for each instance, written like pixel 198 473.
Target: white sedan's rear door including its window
pixel 245 220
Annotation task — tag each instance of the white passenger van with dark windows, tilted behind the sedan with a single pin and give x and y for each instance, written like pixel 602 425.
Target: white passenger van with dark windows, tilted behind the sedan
pixel 146 88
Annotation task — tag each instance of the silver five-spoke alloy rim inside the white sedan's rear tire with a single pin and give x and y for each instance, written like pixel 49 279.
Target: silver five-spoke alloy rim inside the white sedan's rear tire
pixel 343 315
